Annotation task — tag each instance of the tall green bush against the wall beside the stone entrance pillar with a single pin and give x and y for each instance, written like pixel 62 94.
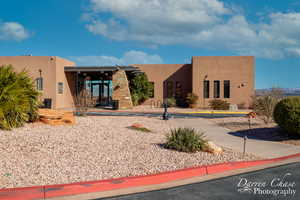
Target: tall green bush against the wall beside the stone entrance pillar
pixel 140 88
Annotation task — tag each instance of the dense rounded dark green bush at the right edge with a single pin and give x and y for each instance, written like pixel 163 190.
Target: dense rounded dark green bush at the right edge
pixel 287 115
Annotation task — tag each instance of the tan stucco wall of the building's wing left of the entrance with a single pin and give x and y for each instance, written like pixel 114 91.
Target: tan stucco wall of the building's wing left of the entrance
pixel 52 72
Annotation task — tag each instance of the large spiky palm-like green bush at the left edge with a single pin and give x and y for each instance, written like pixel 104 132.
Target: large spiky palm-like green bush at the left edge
pixel 18 98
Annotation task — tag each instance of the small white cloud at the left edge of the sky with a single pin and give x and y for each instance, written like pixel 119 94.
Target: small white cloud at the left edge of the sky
pixel 13 31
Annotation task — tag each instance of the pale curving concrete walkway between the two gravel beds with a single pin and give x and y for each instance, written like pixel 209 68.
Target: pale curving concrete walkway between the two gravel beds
pixel 219 135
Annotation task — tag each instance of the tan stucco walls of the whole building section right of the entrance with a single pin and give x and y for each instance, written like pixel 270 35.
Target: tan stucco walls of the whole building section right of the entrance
pixel 239 70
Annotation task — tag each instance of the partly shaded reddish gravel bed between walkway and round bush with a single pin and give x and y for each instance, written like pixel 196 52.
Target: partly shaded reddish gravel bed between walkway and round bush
pixel 259 130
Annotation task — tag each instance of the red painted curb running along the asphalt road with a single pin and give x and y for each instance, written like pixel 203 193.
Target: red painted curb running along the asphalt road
pixel 42 192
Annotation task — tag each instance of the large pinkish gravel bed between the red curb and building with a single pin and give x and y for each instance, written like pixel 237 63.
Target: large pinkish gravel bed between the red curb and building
pixel 95 148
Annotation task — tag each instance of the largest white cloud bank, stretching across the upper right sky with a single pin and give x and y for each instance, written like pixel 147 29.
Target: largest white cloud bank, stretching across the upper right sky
pixel 208 24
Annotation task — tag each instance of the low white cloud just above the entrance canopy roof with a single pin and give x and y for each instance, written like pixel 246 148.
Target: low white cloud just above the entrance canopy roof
pixel 130 57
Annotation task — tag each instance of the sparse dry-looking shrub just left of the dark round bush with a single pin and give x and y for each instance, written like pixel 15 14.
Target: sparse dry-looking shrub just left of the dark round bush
pixel 264 107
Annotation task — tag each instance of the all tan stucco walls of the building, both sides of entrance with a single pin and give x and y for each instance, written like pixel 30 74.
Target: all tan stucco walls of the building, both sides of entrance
pixel 239 70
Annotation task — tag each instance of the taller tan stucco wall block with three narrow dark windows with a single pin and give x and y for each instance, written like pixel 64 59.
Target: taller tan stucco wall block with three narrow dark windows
pixel 238 69
